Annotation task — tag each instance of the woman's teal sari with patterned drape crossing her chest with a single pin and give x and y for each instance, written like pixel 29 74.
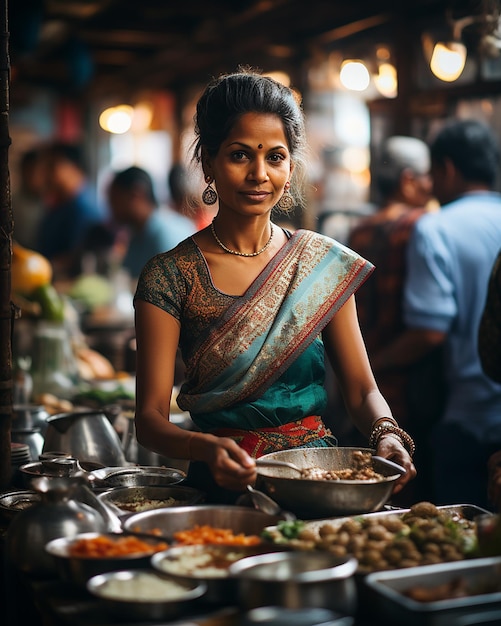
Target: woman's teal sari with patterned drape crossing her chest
pixel 262 363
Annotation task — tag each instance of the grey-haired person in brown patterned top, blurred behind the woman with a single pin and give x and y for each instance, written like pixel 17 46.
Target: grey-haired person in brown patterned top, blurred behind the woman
pixel 404 186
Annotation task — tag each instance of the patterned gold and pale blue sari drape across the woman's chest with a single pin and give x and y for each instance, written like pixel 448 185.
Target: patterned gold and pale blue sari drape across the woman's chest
pixel 262 334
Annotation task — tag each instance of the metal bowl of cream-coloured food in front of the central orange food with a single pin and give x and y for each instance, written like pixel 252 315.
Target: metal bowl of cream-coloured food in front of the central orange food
pixel 209 563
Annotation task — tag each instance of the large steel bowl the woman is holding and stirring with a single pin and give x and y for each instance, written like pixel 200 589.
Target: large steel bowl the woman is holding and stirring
pixel 315 499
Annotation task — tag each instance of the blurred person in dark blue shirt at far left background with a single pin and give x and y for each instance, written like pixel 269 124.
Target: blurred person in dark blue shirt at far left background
pixel 71 208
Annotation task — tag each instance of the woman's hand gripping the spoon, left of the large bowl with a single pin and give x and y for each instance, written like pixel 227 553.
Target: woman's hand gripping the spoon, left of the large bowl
pixel 231 467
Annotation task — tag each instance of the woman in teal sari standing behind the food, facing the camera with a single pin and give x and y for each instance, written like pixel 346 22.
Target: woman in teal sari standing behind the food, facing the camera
pixel 253 307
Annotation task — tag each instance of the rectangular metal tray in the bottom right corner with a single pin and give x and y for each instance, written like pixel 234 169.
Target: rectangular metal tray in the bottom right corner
pixel 387 597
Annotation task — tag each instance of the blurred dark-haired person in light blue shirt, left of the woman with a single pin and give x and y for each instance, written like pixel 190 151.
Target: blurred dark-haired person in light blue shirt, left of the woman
pixel 151 229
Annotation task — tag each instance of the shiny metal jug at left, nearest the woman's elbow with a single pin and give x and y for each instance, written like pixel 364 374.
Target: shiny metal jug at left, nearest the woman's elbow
pixel 86 435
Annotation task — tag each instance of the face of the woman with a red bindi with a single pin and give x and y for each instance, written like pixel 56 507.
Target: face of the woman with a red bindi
pixel 252 165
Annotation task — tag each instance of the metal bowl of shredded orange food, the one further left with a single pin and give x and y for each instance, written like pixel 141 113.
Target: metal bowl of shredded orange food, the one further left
pixel 85 555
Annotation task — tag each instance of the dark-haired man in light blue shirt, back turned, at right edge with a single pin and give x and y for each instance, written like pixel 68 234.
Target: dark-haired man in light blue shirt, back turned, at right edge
pixel 451 253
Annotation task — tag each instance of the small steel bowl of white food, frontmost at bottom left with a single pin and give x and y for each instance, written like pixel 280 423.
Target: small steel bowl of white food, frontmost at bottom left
pixel 128 601
